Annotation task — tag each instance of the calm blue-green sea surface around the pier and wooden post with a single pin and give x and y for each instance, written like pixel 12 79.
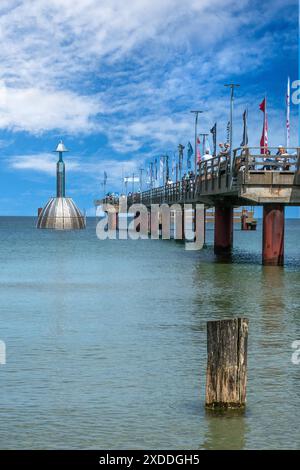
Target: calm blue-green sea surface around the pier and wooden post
pixel 106 341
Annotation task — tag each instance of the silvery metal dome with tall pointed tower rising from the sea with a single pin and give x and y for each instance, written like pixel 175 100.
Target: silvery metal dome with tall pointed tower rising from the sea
pixel 61 212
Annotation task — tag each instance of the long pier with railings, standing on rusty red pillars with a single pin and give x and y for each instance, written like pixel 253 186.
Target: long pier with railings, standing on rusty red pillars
pixel 249 178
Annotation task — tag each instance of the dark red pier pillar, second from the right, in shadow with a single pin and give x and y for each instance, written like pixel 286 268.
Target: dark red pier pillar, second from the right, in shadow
pixel 223 230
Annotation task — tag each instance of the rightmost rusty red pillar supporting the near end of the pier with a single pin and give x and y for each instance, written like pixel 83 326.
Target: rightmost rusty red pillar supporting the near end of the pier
pixel 273 235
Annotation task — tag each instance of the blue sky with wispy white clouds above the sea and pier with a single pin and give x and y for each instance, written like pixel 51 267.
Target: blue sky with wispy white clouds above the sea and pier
pixel 116 80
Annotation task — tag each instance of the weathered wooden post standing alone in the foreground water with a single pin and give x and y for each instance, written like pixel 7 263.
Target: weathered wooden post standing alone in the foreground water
pixel 226 374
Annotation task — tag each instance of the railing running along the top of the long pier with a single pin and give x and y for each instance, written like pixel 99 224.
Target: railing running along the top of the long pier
pixel 218 175
